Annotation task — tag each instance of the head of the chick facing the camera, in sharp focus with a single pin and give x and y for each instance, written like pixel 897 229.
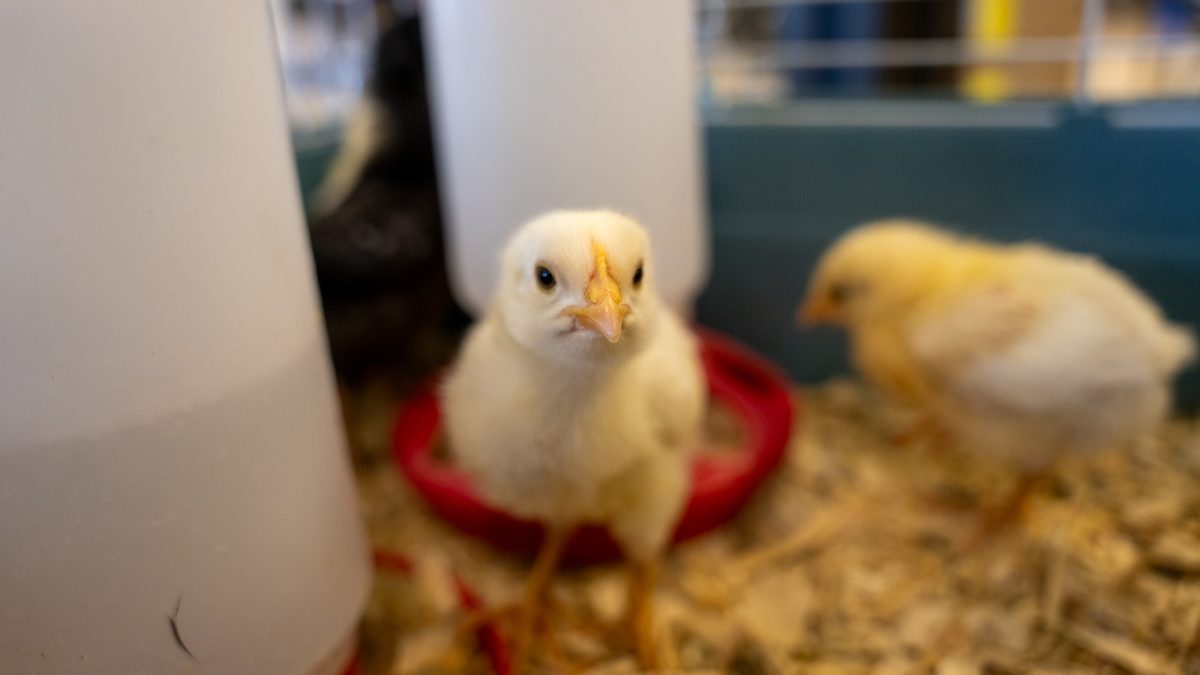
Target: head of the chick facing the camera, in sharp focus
pixel 578 288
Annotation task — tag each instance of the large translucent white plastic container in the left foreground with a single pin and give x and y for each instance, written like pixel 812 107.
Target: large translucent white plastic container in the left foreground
pixel 175 488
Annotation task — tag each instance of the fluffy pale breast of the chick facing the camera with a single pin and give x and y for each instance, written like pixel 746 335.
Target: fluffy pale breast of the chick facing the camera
pixel 543 445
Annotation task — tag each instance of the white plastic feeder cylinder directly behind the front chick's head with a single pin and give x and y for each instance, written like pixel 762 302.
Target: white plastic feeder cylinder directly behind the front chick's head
pixel 545 105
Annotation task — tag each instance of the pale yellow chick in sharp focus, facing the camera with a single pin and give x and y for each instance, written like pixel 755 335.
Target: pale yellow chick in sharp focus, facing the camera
pixel 578 396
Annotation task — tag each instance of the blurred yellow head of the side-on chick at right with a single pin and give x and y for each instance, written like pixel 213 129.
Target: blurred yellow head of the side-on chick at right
pixel 878 271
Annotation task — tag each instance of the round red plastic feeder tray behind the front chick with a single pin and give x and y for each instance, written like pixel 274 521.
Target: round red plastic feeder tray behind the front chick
pixel 746 384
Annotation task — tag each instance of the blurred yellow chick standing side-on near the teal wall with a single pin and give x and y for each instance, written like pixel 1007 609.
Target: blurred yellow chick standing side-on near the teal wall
pixel 1021 351
